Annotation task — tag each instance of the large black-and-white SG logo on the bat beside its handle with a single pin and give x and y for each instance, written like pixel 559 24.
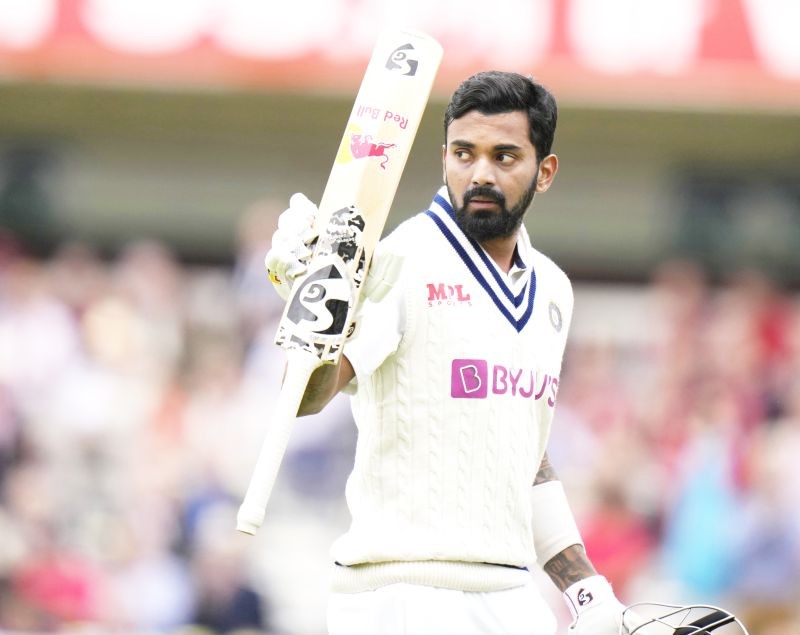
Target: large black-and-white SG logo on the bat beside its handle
pixel 320 304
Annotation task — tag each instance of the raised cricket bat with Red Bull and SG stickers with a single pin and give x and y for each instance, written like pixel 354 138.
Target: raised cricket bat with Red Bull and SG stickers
pixel 352 213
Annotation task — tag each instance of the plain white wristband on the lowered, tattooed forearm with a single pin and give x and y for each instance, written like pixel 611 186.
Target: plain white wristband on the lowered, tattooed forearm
pixel 554 527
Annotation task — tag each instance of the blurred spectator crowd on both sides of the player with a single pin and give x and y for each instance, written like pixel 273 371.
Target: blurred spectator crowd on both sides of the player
pixel 135 391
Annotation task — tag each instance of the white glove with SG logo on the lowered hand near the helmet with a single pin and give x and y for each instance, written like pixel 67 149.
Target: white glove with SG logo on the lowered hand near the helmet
pixel 596 611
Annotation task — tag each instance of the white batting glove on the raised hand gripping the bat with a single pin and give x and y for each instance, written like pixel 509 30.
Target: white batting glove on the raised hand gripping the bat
pixel 292 244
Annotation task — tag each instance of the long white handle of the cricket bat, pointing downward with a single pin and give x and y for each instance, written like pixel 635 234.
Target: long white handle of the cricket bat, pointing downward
pixel 300 365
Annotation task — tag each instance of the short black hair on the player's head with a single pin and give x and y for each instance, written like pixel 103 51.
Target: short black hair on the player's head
pixel 495 92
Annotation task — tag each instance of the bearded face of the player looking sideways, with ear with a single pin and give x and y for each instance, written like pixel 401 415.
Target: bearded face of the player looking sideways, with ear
pixel 491 172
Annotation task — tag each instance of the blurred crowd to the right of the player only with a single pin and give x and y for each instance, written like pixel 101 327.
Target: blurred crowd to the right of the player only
pixel 679 431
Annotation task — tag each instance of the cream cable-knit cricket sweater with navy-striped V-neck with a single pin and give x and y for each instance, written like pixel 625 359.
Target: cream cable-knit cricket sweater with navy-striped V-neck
pixel 453 425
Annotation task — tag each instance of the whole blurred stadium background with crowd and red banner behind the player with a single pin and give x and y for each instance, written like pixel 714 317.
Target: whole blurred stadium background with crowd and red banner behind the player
pixel 146 149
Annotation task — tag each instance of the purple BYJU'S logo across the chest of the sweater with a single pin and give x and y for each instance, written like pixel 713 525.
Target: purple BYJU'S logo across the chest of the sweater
pixel 476 379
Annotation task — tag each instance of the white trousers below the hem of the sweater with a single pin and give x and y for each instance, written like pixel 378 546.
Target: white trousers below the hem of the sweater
pixel 408 609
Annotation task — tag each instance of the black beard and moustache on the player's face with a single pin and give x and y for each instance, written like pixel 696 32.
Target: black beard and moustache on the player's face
pixel 486 225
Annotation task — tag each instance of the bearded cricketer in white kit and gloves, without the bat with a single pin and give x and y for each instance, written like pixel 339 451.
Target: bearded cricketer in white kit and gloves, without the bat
pixel 454 376
